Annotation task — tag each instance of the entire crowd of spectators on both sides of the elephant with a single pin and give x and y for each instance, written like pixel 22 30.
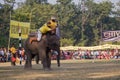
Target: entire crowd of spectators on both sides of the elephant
pixel 14 55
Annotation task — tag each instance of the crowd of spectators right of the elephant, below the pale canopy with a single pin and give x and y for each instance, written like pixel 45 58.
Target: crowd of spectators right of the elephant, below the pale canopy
pixel 91 54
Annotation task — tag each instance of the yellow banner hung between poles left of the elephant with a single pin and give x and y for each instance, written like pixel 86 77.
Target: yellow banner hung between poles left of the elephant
pixel 15 26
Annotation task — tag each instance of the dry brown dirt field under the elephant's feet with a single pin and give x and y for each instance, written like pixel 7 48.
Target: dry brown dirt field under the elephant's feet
pixel 69 70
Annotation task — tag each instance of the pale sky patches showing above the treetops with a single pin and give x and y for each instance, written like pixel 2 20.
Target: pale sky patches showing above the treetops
pixel 76 1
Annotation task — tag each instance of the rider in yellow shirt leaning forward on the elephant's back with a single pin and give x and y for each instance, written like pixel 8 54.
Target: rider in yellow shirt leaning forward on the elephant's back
pixel 49 26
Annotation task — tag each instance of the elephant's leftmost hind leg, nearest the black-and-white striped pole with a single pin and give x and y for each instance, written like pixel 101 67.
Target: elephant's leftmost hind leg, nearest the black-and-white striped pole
pixel 28 62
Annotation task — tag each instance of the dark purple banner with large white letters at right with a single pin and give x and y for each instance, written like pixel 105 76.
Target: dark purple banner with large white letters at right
pixel 111 35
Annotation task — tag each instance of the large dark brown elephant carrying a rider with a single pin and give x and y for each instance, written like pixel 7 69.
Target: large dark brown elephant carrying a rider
pixel 42 50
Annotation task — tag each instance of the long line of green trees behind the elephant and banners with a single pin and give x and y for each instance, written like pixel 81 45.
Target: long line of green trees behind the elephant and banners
pixel 80 24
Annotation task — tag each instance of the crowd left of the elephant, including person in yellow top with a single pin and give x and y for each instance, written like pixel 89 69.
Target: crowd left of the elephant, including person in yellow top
pixel 12 55
